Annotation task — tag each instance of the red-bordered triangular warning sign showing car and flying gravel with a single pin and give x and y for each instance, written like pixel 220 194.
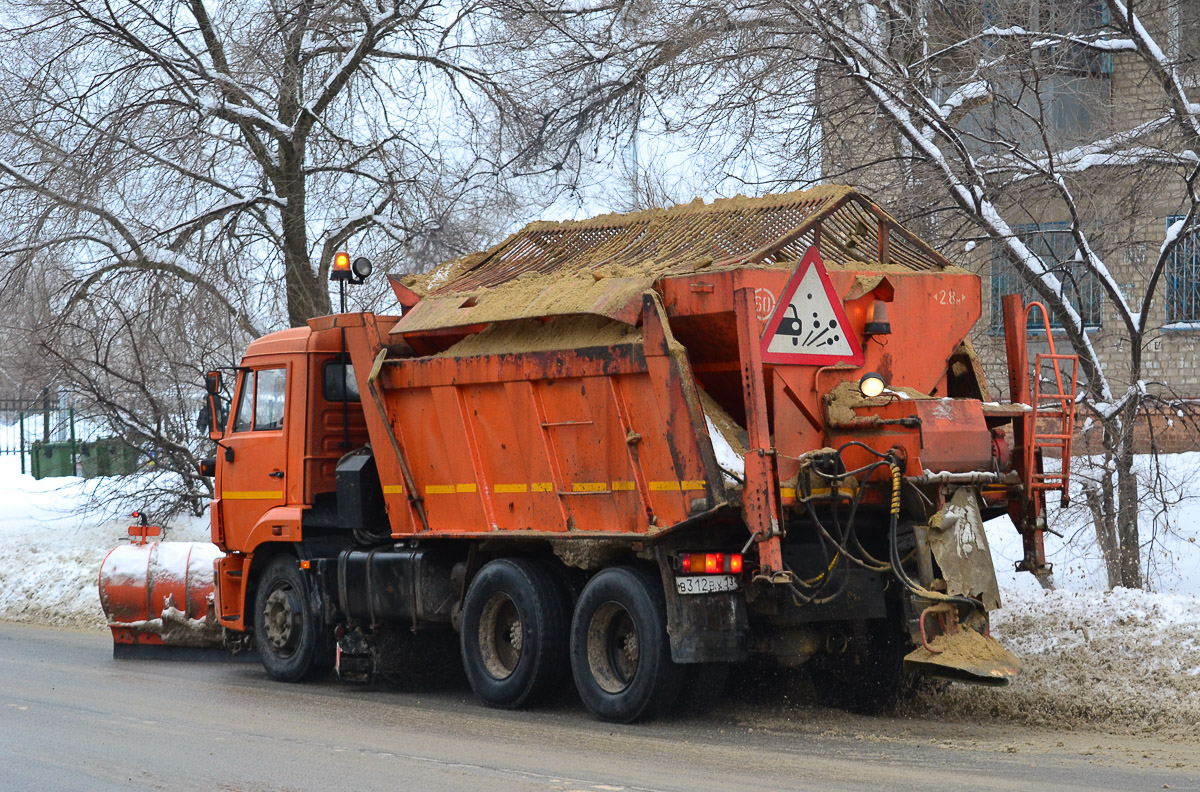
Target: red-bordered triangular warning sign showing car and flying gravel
pixel 809 326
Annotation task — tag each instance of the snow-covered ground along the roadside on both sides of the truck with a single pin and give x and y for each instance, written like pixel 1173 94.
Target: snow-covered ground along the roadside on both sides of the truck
pixel 1119 659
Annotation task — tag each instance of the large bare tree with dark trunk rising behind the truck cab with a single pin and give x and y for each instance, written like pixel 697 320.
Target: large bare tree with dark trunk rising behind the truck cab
pixel 176 177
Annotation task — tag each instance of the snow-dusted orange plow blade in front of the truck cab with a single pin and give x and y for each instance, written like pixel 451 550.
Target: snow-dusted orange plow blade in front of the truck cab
pixel 159 596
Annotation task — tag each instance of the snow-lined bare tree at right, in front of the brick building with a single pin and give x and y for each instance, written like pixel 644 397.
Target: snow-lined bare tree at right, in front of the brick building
pixel 1061 134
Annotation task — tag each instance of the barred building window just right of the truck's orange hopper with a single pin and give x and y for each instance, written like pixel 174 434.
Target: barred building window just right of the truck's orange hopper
pixel 1055 247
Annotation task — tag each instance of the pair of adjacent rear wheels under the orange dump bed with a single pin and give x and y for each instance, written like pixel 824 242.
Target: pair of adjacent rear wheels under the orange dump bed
pixel 519 635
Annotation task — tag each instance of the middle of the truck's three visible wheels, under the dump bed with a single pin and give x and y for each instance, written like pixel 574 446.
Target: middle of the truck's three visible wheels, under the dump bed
pixel 514 634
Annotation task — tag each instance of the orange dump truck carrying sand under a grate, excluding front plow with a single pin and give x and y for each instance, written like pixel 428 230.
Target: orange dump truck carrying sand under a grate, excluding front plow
pixel 634 451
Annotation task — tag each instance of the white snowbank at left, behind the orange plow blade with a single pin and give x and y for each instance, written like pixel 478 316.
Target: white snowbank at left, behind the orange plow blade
pixel 51 553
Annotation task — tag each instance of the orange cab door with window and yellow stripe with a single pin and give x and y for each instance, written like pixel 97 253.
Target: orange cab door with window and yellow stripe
pixel 255 469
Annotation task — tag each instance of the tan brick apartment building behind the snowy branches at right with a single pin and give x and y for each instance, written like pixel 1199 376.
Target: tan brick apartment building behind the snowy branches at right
pixel 1025 81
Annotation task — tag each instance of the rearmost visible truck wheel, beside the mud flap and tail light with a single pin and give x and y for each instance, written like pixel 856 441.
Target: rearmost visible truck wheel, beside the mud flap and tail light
pixel 621 655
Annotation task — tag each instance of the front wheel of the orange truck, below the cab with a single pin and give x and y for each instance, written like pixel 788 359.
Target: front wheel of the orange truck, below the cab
pixel 286 631
